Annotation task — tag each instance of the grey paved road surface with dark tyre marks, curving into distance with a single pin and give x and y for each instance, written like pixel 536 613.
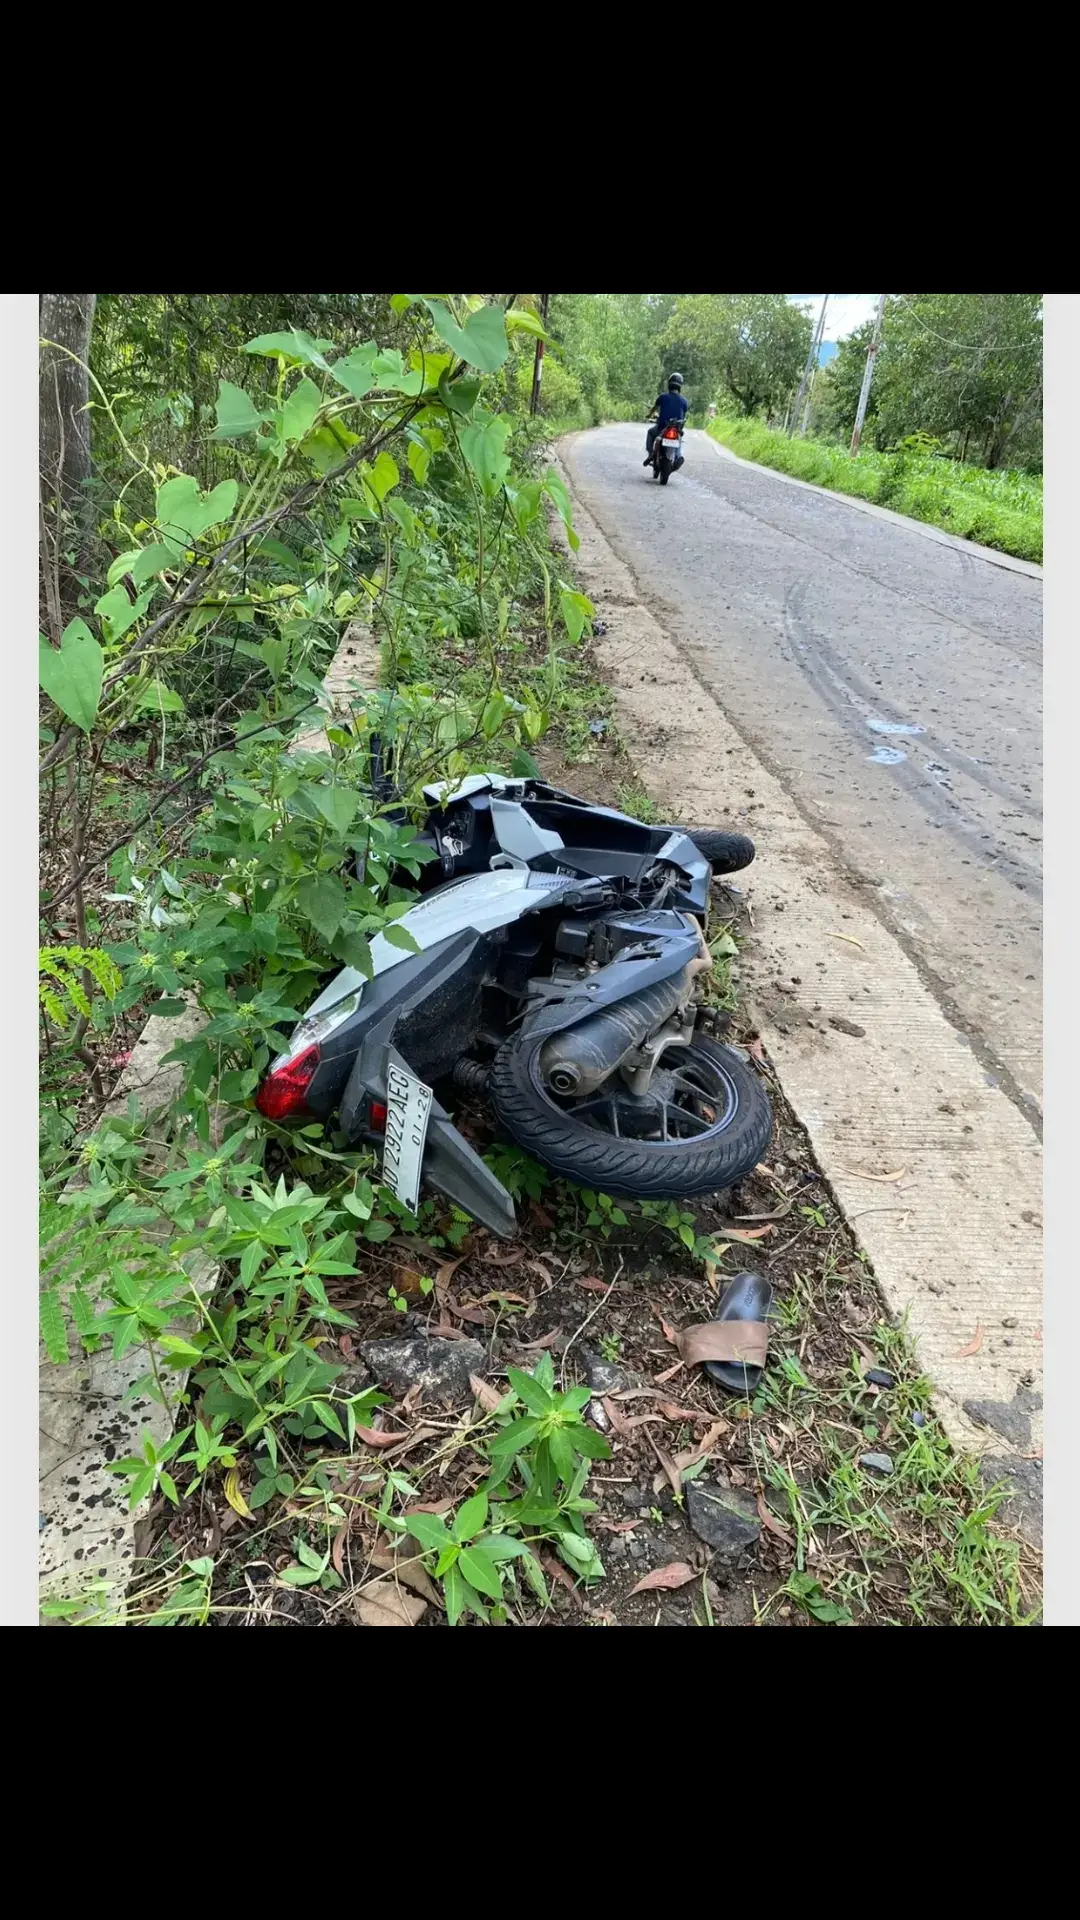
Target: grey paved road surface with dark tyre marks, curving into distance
pixel 891 683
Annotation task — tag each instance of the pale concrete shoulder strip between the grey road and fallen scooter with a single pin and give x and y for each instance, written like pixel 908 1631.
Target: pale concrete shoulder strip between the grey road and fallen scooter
pixel 935 1170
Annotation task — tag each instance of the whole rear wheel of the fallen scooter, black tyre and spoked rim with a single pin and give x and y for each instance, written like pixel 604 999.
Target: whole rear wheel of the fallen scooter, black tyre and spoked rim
pixel 704 1124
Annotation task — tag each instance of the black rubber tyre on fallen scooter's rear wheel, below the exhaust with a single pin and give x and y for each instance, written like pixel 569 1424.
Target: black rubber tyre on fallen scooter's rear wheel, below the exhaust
pixel 631 1168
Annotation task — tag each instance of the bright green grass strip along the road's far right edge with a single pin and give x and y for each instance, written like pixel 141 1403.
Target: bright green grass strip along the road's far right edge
pixel 998 510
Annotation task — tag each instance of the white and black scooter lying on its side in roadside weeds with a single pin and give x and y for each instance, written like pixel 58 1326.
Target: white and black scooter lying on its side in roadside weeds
pixel 560 974
